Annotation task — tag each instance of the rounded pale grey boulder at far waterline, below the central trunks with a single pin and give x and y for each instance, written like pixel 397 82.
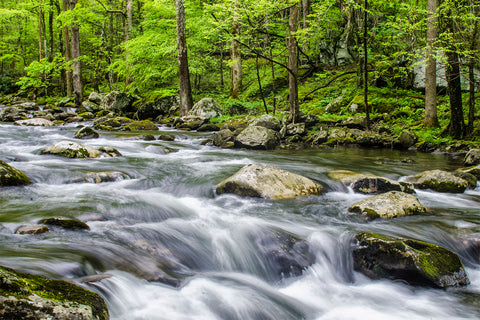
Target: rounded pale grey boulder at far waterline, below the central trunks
pixel 255 137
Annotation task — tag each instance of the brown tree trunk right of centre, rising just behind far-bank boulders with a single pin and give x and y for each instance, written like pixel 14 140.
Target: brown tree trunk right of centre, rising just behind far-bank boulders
pixel 293 65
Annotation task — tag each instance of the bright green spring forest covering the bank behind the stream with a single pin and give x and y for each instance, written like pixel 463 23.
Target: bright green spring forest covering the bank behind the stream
pixel 414 64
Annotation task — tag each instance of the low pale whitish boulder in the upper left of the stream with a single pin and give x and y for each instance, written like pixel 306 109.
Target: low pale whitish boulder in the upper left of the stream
pixel 72 149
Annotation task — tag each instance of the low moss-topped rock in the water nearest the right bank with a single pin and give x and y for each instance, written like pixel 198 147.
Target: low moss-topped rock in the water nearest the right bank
pixel 438 180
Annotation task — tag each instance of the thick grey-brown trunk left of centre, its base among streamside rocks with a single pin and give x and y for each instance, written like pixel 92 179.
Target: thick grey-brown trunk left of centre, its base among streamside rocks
pixel 186 100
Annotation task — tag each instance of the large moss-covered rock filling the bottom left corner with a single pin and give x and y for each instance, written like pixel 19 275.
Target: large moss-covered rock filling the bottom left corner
pixel 27 296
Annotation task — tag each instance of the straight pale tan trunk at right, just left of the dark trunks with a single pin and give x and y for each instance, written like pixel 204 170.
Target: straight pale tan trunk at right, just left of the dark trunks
pixel 431 119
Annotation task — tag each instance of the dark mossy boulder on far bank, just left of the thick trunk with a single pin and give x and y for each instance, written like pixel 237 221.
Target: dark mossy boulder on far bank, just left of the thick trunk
pixel 155 106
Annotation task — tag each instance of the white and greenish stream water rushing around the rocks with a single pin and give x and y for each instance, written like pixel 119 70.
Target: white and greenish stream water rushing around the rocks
pixel 173 249
